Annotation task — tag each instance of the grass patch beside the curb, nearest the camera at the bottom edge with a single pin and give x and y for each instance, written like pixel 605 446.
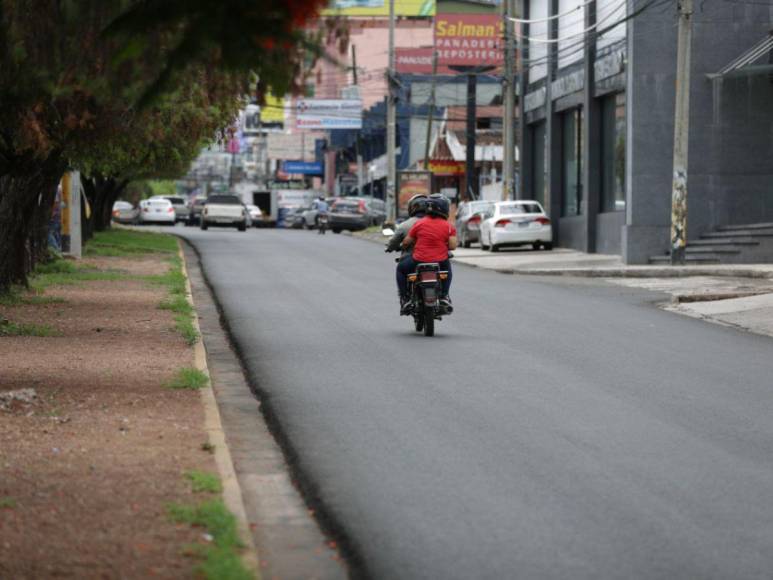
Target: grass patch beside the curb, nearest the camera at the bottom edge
pixel 221 557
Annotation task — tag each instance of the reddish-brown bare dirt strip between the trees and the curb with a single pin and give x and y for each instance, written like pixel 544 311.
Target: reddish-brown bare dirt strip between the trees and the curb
pixel 88 467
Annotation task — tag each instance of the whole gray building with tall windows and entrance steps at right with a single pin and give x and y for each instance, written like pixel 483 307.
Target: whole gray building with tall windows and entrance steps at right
pixel 598 80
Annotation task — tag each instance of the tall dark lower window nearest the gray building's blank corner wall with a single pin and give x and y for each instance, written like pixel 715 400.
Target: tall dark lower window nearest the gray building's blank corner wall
pixel 613 153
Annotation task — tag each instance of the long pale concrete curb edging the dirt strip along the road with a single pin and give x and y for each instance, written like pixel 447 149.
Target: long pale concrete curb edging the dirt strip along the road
pixel 232 492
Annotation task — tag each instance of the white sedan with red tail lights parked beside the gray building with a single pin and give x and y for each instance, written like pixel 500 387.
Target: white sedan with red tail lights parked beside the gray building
pixel 516 223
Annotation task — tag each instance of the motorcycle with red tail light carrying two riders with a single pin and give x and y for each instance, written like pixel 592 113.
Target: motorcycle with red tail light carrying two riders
pixel 425 289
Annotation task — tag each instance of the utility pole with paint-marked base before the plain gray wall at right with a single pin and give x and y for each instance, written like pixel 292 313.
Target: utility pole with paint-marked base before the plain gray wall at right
pixel 681 134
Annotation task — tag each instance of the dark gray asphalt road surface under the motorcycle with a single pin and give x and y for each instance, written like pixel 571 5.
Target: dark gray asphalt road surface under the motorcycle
pixel 551 429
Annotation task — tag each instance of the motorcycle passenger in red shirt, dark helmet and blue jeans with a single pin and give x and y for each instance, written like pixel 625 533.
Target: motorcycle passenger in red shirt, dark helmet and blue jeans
pixel 430 238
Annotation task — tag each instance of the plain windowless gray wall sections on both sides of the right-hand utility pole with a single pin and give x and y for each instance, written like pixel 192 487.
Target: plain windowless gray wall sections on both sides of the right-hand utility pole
pixel 730 177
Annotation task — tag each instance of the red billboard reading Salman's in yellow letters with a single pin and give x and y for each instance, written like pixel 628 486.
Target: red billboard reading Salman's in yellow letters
pixel 469 39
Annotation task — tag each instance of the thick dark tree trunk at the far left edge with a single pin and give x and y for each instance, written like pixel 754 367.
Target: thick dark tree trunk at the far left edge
pixel 27 190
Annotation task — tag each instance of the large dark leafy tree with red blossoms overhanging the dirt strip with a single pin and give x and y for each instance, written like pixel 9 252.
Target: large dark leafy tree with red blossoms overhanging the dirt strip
pixel 69 82
